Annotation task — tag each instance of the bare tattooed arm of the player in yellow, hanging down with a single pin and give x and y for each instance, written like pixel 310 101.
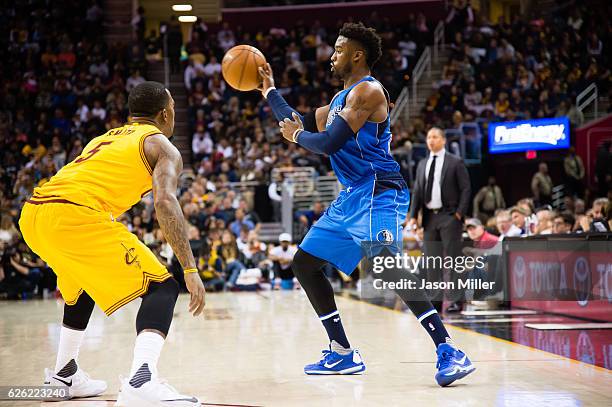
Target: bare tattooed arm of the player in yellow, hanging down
pixel 167 164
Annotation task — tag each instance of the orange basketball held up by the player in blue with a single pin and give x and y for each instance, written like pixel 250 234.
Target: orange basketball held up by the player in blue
pixel 239 67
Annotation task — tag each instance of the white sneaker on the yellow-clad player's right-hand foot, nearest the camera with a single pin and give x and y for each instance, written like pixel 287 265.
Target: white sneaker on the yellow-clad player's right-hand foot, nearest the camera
pixel 154 392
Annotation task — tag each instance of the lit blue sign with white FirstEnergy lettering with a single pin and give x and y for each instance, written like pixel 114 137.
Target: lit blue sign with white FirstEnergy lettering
pixel 541 134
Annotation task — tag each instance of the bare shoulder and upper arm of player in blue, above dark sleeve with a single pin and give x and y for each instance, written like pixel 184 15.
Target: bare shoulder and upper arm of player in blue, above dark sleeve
pixel 365 102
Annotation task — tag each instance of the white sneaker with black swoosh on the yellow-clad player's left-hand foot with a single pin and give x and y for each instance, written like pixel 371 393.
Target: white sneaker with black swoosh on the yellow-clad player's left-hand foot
pixel 79 383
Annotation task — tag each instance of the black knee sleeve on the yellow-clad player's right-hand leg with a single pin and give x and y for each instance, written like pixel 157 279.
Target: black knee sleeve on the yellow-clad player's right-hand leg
pixel 158 306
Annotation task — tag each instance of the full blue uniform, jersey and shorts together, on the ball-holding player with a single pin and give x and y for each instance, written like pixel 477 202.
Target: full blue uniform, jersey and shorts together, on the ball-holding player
pixel 367 216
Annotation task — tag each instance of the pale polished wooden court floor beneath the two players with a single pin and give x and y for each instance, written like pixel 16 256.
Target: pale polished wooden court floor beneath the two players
pixel 249 350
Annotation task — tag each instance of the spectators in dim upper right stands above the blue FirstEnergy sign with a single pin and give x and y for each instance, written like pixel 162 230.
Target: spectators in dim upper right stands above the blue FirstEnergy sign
pixel 519 70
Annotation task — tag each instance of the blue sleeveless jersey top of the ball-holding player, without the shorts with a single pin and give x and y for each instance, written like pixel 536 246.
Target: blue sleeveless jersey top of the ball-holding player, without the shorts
pixel 368 152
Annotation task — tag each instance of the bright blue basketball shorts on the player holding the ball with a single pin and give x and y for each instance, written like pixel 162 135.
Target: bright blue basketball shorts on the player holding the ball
pixel 365 219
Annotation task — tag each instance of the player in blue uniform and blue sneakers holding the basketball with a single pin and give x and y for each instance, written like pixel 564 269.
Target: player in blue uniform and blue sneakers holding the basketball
pixel 354 130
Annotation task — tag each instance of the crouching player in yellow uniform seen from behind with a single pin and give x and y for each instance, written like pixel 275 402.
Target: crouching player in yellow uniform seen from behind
pixel 70 223
